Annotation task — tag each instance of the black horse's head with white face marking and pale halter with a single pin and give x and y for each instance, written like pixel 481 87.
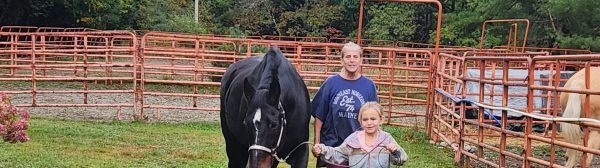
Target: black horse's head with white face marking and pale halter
pixel 265 116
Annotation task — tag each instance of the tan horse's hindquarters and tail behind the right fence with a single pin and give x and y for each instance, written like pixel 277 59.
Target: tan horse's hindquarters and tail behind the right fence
pixel 572 106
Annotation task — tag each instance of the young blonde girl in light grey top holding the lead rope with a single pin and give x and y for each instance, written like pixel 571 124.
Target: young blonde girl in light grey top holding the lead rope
pixel 369 147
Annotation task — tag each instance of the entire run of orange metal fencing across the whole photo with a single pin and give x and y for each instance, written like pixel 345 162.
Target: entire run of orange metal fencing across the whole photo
pixel 101 68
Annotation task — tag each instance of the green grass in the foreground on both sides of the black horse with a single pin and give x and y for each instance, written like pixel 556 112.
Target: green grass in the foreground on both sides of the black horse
pixel 66 143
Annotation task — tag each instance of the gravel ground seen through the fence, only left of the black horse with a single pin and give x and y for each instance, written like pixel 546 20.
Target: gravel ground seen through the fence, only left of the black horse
pixel 110 113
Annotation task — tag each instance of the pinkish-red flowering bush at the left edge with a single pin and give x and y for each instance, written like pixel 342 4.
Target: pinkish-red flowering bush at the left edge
pixel 13 121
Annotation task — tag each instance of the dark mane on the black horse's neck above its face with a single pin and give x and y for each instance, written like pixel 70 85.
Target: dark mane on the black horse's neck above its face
pixel 268 68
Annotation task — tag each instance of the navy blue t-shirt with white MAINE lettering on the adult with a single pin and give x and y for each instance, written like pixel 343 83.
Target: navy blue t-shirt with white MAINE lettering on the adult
pixel 337 104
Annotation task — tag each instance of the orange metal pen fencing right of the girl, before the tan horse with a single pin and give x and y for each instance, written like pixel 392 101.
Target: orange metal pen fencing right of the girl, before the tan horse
pixel 527 82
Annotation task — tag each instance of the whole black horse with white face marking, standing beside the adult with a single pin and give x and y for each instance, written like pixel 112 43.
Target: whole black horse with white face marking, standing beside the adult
pixel 264 112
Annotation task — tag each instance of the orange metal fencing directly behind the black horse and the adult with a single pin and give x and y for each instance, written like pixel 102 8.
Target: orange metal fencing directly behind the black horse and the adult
pixel 167 58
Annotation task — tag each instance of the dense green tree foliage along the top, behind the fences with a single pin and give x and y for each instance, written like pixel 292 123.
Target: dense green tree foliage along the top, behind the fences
pixel 554 23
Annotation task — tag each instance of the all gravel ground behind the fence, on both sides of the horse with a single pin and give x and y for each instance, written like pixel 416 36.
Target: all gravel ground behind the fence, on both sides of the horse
pixel 126 113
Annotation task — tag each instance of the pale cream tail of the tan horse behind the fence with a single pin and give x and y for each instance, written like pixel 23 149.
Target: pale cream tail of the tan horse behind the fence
pixel 572 132
